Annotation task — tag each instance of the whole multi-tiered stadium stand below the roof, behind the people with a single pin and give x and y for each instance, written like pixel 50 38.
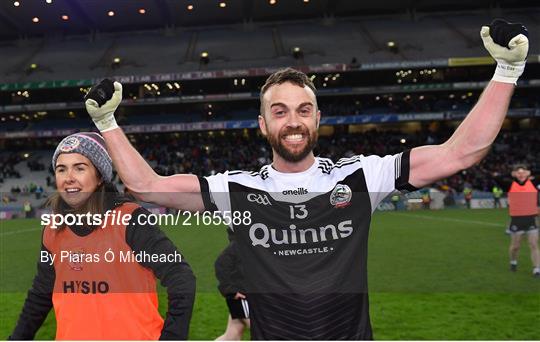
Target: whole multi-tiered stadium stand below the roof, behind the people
pixel 419 37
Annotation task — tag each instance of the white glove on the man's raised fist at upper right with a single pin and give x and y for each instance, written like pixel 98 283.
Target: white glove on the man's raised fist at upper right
pixel 510 59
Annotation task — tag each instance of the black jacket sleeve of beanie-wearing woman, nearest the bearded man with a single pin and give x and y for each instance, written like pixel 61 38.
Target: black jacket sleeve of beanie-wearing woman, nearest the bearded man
pixel 176 277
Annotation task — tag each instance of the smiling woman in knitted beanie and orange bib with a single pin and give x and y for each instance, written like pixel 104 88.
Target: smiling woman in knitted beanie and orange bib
pixel 97 296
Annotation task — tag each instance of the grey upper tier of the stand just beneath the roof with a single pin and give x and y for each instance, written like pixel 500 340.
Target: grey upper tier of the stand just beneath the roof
pixel 259 45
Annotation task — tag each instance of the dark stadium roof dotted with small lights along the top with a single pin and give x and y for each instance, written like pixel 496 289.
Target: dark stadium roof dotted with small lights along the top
pixel 23 18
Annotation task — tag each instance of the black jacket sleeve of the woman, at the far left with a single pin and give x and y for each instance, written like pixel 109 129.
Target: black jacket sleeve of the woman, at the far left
pixel 38 302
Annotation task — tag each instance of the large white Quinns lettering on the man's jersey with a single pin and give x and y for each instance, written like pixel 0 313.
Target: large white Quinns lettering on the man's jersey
pixel 261 235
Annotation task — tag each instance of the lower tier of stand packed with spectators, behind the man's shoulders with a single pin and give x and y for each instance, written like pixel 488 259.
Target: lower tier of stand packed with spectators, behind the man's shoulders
pixel 204 153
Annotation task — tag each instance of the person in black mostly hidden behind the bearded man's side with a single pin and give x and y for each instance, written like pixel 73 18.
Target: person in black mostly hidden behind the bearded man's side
pixel 228 270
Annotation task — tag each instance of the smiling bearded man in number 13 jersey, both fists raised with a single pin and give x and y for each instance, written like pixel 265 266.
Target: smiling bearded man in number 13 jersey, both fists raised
pixel 301 224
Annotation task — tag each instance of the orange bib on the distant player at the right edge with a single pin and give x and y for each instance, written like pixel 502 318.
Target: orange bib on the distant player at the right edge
pixel 523 199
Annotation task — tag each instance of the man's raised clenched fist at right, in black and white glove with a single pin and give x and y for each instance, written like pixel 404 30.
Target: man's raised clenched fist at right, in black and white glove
pixel 508 44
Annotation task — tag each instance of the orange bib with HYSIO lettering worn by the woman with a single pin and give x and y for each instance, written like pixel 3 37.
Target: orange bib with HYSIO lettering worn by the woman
pixel 97 298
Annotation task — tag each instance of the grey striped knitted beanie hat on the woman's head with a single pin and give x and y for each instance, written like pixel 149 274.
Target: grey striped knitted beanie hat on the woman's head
pixel 92 146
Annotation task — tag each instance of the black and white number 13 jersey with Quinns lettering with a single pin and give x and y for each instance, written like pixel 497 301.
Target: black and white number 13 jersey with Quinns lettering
pixel 303 242
